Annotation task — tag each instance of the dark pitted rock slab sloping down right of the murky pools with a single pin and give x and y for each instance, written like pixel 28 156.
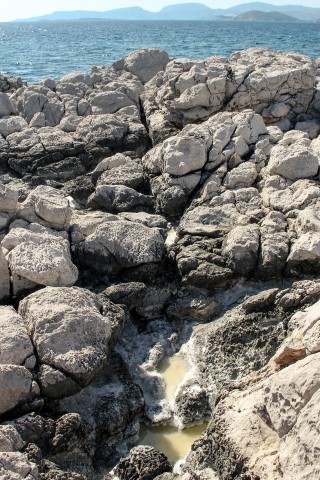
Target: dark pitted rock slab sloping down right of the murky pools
pixel 225 350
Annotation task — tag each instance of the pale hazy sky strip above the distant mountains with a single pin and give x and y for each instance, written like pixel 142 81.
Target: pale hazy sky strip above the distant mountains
pixel 13 10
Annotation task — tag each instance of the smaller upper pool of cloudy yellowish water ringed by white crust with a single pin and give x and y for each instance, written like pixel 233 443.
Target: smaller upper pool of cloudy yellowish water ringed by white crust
pixel 172 369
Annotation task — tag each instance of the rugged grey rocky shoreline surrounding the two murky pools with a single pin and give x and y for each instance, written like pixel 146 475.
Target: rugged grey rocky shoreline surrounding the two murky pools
pixel 152 207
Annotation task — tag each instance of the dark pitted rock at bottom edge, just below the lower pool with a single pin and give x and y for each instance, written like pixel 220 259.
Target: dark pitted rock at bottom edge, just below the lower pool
pixel 143 463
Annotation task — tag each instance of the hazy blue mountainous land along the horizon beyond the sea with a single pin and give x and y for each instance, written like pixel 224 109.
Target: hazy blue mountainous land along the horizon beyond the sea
pixel 253 12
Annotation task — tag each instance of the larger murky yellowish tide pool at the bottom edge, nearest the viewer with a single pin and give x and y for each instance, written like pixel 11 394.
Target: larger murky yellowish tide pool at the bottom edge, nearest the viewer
pixel 174 443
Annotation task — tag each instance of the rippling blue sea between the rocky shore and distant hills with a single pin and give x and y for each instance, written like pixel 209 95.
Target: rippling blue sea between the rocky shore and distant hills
pixel 36 51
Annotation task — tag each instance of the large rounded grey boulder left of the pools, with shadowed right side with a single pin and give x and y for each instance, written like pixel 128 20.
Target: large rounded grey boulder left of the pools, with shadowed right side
pixel 69 332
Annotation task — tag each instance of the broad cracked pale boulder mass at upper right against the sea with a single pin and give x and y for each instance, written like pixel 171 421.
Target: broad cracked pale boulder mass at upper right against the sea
pixel 275 84
